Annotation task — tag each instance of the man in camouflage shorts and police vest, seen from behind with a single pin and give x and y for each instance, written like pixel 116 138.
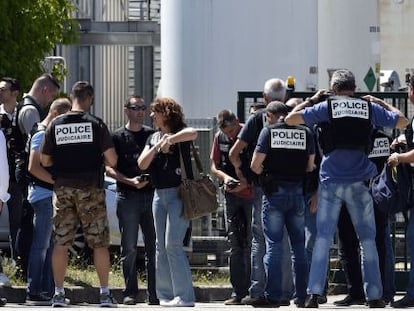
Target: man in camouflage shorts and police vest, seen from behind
pixel 78 145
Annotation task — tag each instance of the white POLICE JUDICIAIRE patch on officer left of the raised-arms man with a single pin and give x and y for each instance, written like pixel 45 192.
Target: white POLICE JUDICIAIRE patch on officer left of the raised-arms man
pixel 288 139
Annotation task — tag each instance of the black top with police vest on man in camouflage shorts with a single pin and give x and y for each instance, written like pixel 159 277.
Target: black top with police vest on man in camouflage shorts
pixel 76 142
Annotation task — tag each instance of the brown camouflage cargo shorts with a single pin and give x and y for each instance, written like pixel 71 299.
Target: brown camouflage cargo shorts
pixel 72 206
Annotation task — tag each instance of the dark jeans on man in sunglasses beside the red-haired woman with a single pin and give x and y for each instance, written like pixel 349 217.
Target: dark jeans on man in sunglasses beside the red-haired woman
pixel 134 210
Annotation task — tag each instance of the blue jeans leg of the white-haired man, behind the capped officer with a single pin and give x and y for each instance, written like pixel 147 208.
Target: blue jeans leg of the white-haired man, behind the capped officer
pixel 258 275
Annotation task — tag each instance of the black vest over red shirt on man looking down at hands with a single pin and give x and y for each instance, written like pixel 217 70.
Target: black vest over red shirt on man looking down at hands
pixel 225 165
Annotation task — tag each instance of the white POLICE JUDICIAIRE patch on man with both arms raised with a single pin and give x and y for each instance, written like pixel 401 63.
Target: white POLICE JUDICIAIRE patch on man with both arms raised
pixel 354 108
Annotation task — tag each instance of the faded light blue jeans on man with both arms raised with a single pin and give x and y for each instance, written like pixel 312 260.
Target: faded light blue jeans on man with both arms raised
pixel 331 196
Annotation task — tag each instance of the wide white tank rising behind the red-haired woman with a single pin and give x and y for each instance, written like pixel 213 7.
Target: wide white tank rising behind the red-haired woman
pixel 211 49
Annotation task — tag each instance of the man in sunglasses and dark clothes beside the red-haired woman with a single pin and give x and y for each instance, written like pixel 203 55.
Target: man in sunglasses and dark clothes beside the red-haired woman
pixel 134 199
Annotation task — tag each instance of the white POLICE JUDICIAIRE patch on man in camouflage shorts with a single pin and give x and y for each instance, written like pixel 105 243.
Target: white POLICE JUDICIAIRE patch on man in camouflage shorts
pixel 73 133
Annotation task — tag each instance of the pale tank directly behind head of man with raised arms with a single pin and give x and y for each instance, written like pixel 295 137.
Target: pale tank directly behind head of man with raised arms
pixel 348 37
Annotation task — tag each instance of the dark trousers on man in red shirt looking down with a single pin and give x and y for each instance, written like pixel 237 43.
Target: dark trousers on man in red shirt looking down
pixel 239 219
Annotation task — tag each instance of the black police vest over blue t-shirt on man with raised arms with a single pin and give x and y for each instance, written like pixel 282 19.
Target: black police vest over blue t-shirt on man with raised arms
pixel 349 125
